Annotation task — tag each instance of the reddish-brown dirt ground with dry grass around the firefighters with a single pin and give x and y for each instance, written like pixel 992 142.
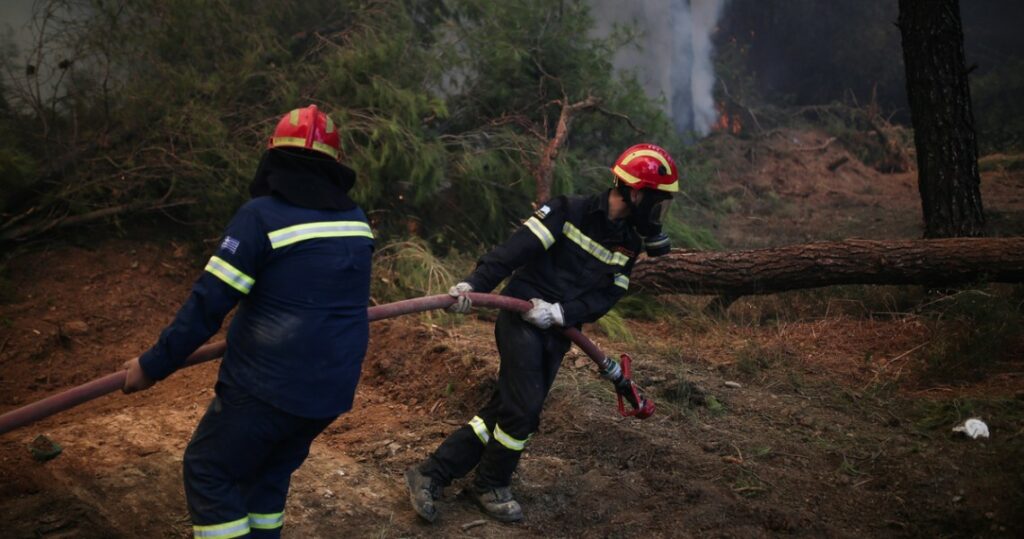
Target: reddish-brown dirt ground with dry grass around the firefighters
pixel 830 426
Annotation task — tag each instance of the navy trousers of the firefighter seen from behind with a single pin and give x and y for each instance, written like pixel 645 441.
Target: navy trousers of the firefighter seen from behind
pixel 239 465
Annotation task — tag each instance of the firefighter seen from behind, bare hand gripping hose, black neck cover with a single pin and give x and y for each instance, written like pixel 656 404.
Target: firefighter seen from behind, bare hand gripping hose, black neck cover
pixel 296 260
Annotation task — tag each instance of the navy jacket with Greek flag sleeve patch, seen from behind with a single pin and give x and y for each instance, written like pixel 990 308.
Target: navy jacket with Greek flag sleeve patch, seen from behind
pixel 300 337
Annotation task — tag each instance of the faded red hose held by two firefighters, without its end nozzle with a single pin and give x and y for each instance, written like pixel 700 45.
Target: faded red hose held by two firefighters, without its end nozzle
pixel 112 383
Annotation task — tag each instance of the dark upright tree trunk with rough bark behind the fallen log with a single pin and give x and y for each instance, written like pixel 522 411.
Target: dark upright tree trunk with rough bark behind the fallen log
pixel 944 122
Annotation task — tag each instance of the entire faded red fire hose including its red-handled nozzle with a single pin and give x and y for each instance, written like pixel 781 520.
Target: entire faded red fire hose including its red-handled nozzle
pixel 618 374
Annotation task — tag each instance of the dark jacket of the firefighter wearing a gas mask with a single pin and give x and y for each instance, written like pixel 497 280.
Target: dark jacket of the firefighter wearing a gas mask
pixel 567 253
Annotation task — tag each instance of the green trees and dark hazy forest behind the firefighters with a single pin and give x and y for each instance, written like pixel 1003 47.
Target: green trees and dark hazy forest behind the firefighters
pixel 136 111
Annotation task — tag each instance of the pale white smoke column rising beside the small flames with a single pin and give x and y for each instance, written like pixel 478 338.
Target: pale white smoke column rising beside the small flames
pixel 674 56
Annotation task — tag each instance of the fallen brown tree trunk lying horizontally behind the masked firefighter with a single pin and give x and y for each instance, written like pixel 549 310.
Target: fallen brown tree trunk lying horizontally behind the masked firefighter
pixel 933 263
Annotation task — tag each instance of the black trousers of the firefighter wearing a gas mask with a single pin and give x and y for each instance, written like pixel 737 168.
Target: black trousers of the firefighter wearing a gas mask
pixel 494 440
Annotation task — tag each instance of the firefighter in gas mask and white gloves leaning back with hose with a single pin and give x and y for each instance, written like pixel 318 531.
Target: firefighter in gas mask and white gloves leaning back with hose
pixel 572 260
